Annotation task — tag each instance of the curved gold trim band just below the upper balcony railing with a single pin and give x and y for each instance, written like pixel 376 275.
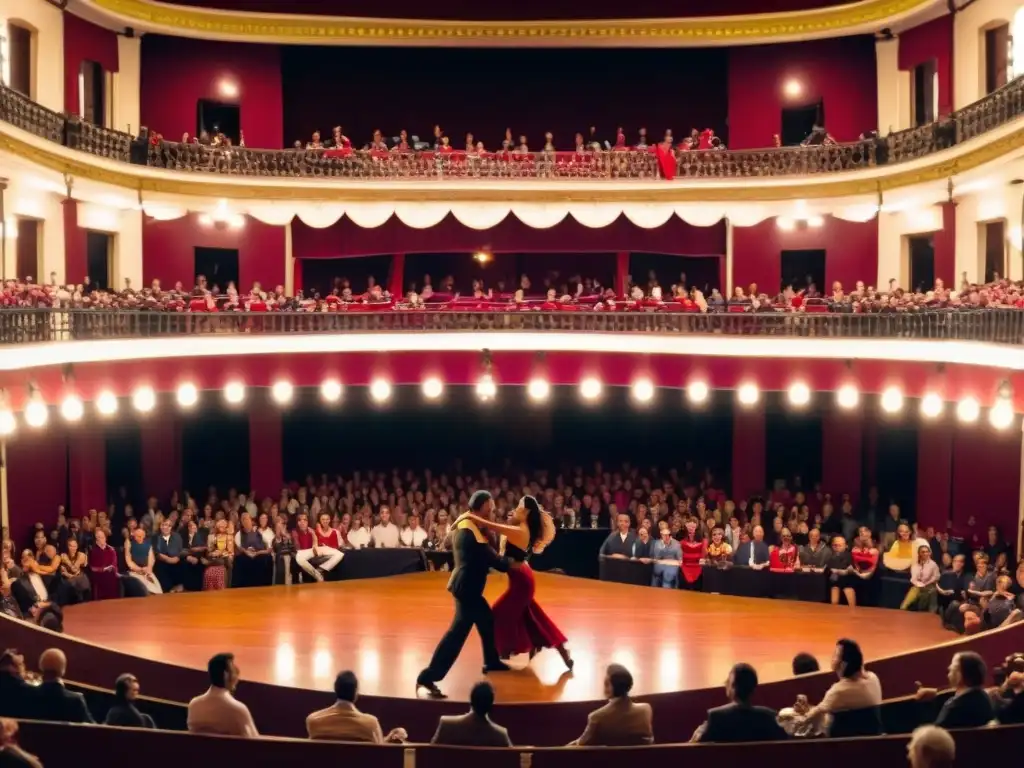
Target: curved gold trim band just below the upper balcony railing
pixel 803 188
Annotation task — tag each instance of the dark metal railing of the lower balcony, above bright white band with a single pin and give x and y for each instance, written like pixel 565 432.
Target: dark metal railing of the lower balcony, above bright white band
pixel 33 326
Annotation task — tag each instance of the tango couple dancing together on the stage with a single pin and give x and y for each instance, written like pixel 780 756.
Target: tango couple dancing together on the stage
pixel 516 624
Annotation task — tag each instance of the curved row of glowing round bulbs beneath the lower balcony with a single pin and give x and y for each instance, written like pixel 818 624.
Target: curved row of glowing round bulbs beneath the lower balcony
pixel 144 399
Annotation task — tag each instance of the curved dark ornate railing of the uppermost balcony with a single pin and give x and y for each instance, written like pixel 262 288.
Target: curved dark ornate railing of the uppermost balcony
pixel 994 111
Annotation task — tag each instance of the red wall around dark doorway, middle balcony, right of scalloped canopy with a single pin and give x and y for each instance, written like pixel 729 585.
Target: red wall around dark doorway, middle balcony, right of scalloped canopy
pixel 851 252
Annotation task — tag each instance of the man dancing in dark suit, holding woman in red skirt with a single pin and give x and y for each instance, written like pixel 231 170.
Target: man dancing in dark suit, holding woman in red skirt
pixel 474 559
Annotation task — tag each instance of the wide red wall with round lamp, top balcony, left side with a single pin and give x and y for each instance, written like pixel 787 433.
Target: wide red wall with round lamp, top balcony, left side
pixel 179 72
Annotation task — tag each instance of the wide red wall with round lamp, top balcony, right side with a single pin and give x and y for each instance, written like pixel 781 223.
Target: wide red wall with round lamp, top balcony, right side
pixel 840 72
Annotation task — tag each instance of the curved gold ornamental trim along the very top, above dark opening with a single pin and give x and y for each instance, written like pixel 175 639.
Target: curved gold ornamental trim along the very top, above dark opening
pixel 358 31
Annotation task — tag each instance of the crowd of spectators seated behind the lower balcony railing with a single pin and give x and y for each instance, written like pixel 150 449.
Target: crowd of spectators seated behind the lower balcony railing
pixel 556 293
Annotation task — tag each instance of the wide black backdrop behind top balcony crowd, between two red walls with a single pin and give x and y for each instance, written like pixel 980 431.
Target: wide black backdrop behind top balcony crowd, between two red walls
pixel 485 92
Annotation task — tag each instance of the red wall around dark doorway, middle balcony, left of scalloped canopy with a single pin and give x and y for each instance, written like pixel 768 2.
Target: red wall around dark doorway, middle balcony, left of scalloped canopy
pixel 169 255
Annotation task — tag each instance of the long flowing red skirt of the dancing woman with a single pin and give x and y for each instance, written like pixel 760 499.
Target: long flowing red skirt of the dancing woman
pixel 521 625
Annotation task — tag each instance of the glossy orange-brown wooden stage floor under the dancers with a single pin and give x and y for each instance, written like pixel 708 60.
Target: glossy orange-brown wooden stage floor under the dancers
pixel 387 629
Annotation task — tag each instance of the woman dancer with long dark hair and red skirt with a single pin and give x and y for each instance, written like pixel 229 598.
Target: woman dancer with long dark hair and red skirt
pixel 521 625
